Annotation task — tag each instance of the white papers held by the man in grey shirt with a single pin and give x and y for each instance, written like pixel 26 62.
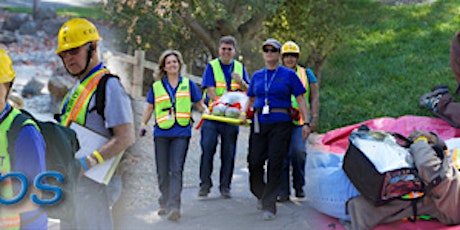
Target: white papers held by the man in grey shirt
pixel 90 141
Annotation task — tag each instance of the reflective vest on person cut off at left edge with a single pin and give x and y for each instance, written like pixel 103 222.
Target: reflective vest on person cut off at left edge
pixel 8 221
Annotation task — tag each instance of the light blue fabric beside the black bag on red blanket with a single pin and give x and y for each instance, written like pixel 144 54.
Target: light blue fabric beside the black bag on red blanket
pixel 327 188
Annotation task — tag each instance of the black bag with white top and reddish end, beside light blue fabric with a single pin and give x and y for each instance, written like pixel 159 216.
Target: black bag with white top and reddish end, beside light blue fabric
pixel 380 167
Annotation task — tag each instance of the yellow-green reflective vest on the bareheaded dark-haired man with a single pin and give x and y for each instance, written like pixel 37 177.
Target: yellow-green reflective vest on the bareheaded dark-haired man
pixel 219 76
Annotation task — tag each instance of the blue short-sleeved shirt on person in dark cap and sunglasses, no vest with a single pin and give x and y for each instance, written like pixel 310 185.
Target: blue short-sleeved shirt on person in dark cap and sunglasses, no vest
pixel 283 84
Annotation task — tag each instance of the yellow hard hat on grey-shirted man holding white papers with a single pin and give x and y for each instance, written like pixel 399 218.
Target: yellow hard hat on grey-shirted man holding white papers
pixel 75 33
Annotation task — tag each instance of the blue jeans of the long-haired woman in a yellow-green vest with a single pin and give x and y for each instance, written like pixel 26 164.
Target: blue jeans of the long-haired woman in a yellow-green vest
pixel 170 153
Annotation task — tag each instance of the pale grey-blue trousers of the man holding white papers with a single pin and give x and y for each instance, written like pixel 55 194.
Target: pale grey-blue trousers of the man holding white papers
pixel 94 203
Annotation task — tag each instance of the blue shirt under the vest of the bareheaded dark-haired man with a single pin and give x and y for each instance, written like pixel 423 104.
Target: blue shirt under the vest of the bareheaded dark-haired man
pixel 208 79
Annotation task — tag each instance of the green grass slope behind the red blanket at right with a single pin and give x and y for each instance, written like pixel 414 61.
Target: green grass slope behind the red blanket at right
pixel 389 58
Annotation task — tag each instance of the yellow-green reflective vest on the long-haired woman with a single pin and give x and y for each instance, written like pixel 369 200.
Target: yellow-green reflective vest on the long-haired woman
pixel 166 114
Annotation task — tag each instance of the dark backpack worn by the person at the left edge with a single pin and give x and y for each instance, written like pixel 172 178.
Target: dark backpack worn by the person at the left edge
pixel 61 146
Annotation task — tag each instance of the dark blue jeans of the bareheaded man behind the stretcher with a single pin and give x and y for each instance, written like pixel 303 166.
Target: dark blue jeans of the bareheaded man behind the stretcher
pixel 209 134
